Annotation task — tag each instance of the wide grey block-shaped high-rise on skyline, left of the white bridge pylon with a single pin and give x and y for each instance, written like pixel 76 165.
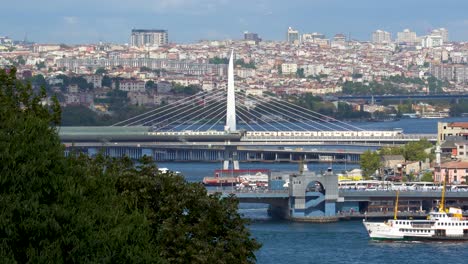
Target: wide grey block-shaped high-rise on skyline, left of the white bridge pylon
pixel 149 37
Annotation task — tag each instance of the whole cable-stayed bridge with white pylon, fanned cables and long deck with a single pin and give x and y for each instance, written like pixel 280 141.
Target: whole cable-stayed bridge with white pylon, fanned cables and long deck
pixel 230 119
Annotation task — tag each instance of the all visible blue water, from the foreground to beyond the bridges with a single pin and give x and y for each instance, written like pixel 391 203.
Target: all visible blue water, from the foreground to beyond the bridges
pixel 341 242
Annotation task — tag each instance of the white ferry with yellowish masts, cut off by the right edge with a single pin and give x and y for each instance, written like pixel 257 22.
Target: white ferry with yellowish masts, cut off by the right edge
pixel 443 224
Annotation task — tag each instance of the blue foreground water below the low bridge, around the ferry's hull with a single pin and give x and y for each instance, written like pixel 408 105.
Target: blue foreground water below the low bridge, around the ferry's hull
pixel 344 242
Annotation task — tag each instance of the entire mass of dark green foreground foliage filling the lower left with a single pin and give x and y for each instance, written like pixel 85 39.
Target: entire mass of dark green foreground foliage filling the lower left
pixel 58 209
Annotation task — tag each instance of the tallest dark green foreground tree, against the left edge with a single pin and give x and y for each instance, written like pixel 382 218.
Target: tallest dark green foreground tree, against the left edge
pixel 57 209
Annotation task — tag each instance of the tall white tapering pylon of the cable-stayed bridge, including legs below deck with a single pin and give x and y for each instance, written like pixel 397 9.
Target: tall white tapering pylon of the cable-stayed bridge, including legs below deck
pixel 230 118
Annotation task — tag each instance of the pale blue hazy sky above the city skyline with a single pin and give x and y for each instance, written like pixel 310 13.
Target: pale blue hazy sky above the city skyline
pixel 188 21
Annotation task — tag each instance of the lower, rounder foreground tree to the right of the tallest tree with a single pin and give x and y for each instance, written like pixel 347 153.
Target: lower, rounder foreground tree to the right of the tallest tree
pixel 188 225
